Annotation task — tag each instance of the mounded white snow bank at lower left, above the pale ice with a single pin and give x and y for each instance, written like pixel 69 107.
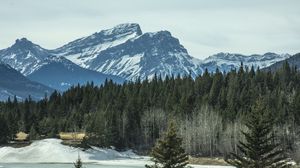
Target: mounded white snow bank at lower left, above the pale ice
pixel 52 151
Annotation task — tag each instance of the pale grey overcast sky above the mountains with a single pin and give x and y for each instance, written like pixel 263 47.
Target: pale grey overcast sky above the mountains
pixel 204 27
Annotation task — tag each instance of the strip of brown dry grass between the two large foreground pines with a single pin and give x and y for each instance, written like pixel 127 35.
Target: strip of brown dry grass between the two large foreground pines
pixel 207 161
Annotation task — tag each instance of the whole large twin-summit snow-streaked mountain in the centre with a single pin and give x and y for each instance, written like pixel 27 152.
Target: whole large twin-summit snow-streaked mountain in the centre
pixel 126 52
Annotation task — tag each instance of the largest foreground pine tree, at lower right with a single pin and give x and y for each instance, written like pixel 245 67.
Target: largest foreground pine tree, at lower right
pixel 259 150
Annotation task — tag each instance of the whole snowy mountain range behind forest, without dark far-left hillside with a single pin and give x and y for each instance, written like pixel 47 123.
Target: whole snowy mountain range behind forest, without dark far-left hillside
pixel 120 53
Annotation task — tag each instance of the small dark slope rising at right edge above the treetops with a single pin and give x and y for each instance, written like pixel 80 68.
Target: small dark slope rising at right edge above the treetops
pixel 293 61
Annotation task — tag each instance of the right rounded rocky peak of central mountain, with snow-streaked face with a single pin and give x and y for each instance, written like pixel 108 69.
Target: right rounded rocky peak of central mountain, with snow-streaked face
pixel 149 54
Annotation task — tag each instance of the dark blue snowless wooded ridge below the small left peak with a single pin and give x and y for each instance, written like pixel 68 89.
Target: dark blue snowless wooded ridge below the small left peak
pixel 60 73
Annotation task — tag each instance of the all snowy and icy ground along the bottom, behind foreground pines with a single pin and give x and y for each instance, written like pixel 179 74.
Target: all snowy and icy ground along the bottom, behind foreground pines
pixel 48 151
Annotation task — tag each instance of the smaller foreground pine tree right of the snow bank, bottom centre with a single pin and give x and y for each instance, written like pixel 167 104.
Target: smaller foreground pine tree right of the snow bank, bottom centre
pixel 168 151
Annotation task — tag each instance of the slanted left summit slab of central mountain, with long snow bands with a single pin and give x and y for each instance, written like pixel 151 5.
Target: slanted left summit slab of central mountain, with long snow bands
pixel 83 50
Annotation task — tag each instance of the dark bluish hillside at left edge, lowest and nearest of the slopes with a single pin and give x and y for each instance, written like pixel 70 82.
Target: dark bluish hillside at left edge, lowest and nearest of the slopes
pixel 14 83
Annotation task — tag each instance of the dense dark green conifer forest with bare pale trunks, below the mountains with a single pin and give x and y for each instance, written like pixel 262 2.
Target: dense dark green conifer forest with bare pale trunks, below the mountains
pixel 210 111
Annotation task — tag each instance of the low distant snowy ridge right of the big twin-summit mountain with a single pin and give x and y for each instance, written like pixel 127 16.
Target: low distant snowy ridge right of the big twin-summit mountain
pixel 227 61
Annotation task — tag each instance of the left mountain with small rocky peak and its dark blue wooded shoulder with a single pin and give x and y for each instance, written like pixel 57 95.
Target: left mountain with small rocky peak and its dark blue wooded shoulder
pixel 39 65
